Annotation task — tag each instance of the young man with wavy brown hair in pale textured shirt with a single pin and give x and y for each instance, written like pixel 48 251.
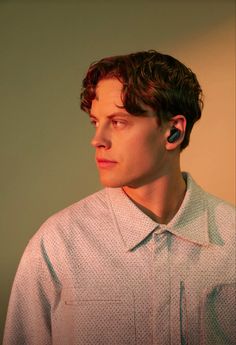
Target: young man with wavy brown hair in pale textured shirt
pixel 150 259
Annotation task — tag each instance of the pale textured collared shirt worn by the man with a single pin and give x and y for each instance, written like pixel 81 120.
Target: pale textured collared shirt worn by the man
pixel 102 272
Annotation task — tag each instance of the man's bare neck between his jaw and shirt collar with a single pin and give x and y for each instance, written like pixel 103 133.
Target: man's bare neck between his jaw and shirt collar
pixel 160 199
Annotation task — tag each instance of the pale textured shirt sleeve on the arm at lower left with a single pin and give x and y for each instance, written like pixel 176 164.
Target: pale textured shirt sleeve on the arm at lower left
pixel 28 317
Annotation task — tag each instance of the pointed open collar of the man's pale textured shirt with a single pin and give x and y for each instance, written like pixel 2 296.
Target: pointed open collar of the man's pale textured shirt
pixel 189 223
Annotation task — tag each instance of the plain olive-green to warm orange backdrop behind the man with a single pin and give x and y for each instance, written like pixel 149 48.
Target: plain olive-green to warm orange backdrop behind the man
pixel 45 50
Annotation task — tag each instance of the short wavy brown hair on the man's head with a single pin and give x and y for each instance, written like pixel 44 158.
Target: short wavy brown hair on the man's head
pixel 151 78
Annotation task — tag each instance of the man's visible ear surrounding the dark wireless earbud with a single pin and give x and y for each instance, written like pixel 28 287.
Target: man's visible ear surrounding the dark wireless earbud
pixel 179 123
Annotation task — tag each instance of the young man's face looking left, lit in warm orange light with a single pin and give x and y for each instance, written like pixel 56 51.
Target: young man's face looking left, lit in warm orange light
pixel 130 150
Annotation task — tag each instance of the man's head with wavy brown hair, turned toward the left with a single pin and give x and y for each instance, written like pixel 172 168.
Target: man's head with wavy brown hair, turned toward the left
pixel 135 102
